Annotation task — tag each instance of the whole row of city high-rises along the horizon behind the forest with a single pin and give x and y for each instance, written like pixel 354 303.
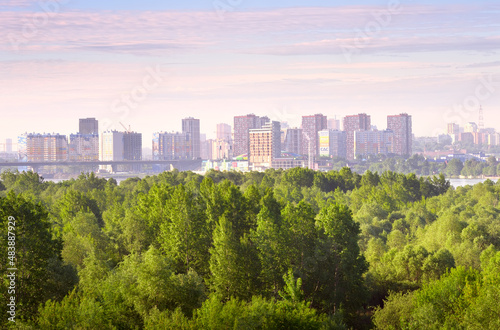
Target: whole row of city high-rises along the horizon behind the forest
pixel 268 145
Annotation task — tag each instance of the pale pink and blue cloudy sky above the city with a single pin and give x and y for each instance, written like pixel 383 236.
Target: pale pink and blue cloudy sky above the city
pixel 148 64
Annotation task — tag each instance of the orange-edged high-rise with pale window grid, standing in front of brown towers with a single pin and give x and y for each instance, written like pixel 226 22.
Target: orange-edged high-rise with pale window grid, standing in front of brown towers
pixel 265 144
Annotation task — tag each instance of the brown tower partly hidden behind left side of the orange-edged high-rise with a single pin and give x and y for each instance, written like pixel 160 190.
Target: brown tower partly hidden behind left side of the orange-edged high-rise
pixel 242 127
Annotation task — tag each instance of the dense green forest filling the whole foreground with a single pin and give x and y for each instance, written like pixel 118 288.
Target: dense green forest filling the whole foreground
pixel 294 249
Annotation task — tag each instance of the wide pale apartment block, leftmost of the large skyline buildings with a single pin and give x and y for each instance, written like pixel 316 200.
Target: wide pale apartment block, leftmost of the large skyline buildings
pixel 46 147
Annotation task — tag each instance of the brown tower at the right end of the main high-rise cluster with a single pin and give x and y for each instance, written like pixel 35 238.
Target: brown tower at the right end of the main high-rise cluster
pixel 402 127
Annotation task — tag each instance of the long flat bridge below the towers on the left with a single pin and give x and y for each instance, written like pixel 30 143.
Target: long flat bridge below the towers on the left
pixel 183 165
